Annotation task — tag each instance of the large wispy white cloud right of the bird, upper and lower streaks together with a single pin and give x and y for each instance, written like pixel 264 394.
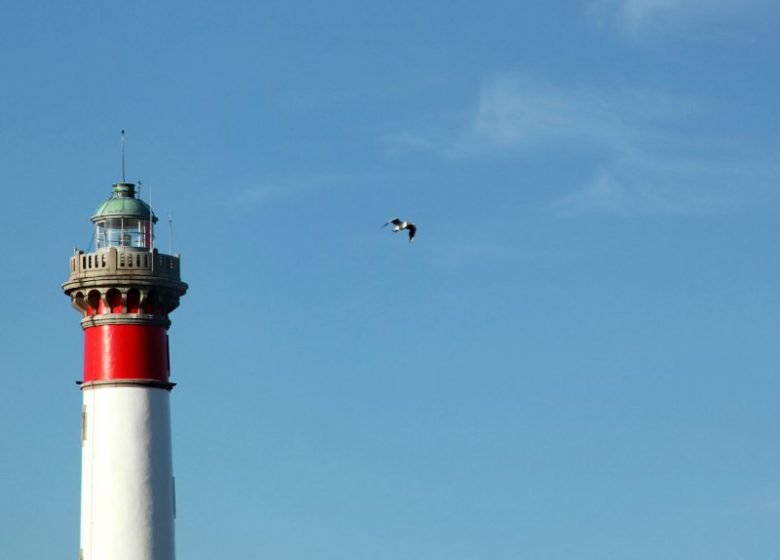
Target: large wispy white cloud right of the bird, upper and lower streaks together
pixel 645 157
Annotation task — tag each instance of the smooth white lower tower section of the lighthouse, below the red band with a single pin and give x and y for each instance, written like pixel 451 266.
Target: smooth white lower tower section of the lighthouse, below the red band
pixel 127 491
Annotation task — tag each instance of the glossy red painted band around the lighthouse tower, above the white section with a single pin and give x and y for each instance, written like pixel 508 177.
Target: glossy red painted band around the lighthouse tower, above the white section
pixel 120 351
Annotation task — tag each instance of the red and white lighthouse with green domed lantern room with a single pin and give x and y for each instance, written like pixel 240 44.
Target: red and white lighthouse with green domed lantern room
pixel 125 290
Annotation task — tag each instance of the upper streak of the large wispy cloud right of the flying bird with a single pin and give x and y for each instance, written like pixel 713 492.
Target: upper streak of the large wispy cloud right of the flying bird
pixel 517 113
